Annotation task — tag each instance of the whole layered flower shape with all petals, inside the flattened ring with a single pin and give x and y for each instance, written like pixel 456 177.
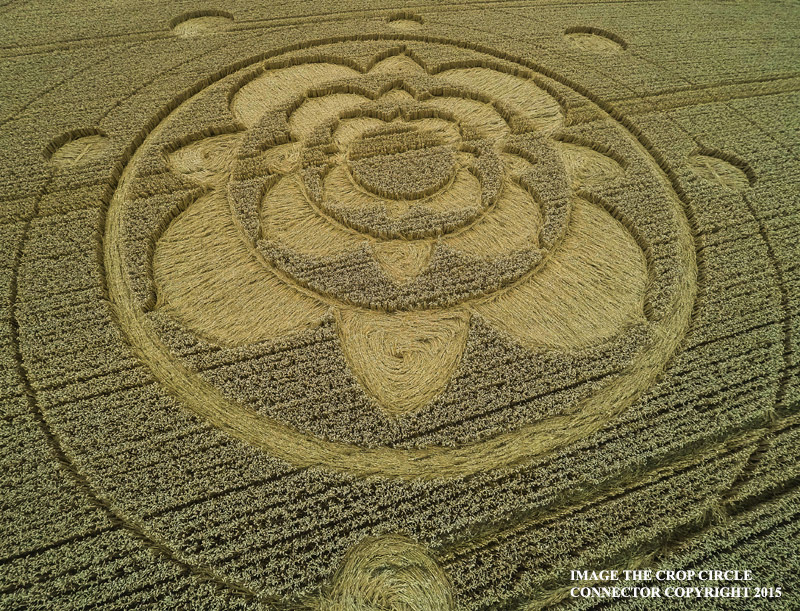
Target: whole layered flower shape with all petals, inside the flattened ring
pixel 402 203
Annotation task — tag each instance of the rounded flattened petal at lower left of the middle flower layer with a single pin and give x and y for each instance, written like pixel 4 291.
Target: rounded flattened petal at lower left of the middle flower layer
pixel 288 219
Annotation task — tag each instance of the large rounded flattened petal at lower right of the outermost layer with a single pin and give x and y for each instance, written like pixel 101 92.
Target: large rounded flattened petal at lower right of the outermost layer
pixel 591 288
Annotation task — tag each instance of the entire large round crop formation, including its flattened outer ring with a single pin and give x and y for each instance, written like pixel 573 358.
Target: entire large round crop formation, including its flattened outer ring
pixel 368 244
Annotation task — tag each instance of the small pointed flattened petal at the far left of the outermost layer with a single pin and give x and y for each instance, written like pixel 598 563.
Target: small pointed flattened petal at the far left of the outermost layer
pixel 207 161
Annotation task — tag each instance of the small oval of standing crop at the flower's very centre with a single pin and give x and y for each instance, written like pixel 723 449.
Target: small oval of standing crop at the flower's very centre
pixel 402 162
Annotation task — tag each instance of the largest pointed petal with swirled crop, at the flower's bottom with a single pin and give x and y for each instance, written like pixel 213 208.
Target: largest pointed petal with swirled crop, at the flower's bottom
pixel 403 359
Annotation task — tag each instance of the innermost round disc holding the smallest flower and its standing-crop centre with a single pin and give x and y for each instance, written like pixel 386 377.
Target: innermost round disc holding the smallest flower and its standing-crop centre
pixel 404 173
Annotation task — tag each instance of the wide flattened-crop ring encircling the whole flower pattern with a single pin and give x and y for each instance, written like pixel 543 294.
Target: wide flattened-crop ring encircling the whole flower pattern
pixel 305 450
